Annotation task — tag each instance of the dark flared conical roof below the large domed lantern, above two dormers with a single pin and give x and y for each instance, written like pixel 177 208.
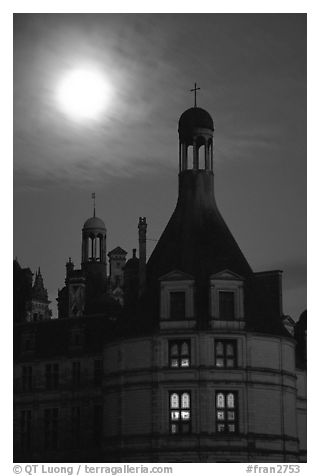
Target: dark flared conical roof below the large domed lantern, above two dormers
pixel 196 240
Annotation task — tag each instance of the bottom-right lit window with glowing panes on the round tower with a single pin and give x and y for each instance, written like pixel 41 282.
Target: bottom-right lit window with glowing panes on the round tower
pixel 226 412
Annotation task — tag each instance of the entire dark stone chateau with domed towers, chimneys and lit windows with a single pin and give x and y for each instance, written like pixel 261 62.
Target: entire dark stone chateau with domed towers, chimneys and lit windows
pixel 184 358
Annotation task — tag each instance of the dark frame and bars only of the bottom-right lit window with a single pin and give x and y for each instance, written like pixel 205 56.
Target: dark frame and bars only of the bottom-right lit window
pixel 226 410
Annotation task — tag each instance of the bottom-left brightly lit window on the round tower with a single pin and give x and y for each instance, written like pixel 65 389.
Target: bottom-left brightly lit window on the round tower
pixel 180 412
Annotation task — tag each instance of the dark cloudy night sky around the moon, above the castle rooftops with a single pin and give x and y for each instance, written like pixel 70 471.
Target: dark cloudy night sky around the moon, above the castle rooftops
pixel 252 72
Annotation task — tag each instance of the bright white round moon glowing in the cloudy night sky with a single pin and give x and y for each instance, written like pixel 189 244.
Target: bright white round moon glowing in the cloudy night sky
pixel 83 94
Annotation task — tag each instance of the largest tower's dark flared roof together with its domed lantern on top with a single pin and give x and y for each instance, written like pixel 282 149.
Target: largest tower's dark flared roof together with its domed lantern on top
pixel 196 241
